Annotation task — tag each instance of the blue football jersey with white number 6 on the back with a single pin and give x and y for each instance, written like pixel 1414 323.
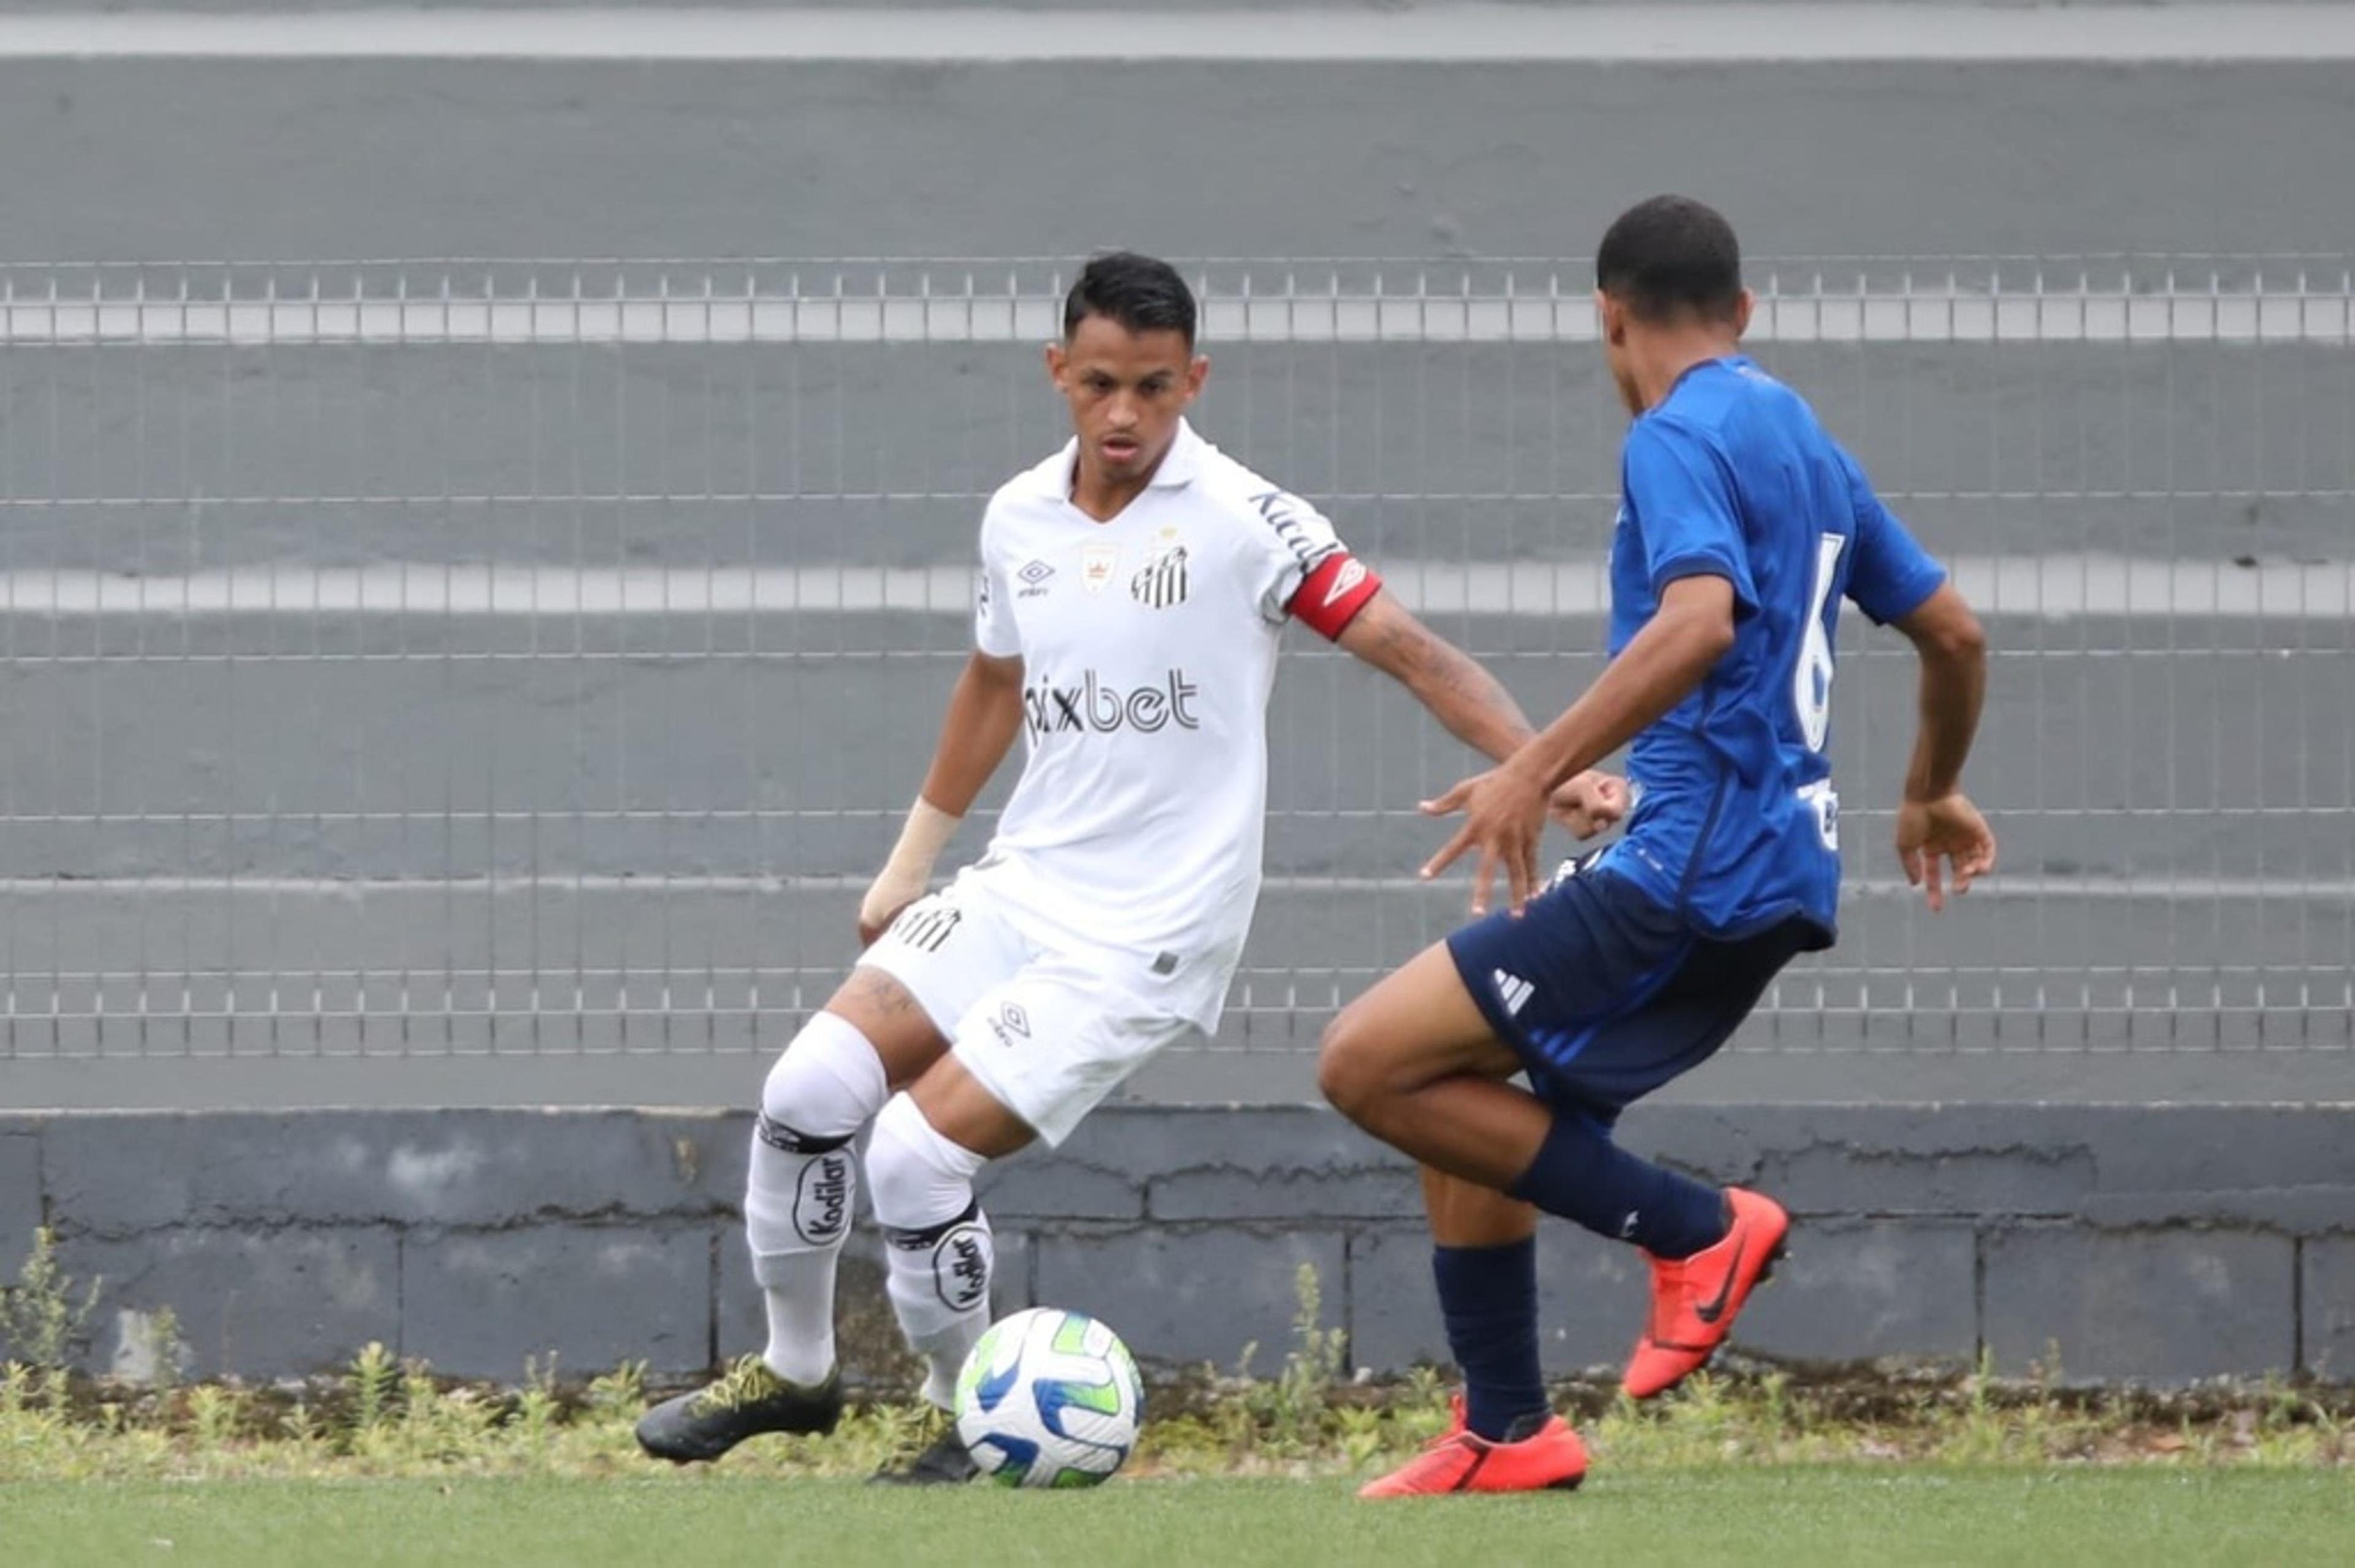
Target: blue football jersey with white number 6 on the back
pixel 1732 477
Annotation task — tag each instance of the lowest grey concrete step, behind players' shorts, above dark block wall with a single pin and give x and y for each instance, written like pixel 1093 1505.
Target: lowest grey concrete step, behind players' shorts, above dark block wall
pixel 2026 964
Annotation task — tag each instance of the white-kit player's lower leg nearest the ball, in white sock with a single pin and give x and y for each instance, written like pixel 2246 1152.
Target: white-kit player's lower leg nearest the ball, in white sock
pixel 927 1150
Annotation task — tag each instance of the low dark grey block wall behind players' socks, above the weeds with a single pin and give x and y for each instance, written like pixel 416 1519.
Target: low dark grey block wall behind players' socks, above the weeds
pixel 2116 1244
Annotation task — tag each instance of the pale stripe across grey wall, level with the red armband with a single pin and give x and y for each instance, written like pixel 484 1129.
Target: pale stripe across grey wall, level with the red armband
pixel 2055 587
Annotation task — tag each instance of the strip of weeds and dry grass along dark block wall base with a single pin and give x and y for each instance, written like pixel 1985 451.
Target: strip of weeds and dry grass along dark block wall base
pixel 397 1421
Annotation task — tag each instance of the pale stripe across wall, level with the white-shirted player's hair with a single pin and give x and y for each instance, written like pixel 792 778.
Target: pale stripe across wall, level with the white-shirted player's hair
pixel 1793 310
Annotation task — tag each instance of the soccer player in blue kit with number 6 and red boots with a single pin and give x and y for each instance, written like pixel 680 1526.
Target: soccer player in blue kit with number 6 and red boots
pixel 1742 529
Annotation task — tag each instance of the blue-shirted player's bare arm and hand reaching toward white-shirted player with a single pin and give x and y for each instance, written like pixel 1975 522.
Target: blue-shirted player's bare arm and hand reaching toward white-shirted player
pixel 1506 806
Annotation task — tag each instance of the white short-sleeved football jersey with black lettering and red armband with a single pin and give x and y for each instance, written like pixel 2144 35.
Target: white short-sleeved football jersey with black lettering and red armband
pixel 1148 653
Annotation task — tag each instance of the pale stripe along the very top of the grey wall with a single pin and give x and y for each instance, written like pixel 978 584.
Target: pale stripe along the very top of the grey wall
pixel 1605 34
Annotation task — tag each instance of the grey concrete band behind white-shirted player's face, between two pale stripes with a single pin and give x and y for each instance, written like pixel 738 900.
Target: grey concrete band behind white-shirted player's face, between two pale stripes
pixel 161 460
